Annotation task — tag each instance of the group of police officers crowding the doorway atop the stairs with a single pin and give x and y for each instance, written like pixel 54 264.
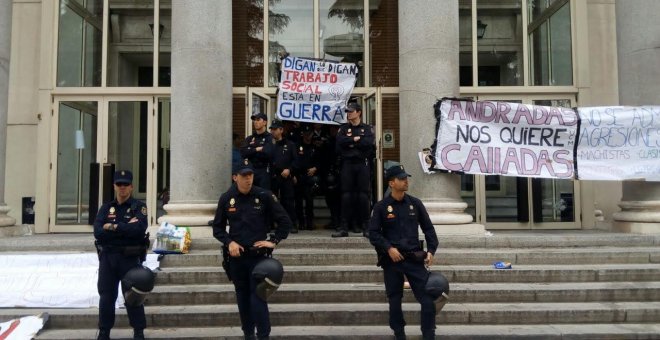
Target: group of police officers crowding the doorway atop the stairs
pixel 299 161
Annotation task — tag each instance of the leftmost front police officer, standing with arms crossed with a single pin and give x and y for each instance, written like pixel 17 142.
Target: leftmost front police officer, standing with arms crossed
pixel 119 230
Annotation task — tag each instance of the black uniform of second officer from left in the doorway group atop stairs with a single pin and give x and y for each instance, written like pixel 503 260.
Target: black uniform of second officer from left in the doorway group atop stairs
pixel 284 153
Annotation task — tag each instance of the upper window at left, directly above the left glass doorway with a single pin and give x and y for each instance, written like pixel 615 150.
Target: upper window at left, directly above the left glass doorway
pixel 129 59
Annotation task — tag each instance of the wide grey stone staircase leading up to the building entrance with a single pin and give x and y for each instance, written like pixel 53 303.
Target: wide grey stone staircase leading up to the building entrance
pixel 563 285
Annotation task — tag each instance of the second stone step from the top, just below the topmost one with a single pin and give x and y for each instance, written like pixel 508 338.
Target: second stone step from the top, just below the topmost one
pixel 591 255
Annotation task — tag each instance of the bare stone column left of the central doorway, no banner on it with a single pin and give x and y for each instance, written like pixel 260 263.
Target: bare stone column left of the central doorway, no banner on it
pixel 201 111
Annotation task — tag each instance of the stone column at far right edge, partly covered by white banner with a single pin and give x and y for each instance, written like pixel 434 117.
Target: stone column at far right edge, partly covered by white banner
pixel 638 51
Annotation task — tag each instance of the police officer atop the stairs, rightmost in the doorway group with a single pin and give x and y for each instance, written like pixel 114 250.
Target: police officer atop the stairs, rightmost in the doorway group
pixel 355 144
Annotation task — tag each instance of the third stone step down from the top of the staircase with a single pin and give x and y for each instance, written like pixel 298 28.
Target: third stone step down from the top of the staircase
pixel 455 274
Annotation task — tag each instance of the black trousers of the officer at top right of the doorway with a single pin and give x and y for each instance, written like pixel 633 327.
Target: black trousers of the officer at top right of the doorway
pixel 355 188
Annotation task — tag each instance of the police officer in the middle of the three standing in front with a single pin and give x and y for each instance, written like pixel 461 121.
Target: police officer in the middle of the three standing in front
pixel 250 211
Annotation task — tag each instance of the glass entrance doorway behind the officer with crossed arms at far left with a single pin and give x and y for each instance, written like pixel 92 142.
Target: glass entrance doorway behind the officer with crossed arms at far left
pixel 93 137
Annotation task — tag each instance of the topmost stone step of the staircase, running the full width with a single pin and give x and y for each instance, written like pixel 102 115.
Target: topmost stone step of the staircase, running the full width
pixel 321 239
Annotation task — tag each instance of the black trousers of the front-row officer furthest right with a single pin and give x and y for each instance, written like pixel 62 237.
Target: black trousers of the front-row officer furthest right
pixel 417 274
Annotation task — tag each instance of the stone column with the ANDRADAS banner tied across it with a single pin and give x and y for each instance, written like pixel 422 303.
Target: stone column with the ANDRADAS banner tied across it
pixel 428 71
